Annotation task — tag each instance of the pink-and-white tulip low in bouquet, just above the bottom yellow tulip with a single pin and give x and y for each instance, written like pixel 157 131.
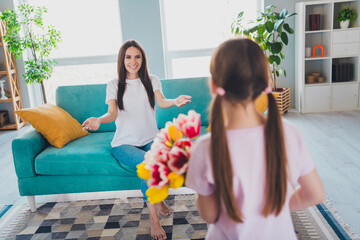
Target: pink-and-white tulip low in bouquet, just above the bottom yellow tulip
pixel 159 175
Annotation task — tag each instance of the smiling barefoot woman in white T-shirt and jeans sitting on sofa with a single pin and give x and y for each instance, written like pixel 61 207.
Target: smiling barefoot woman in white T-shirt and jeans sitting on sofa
pixel 131 105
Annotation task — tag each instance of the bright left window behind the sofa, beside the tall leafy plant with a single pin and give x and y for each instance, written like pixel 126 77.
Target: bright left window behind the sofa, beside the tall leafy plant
pixel 91 38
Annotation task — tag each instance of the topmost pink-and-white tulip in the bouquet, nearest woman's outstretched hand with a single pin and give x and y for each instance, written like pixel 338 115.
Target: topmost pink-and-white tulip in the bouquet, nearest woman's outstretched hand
pixel 189 124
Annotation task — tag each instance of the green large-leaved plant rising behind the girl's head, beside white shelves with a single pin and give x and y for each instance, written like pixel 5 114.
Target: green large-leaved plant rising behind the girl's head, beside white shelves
pixel 270 31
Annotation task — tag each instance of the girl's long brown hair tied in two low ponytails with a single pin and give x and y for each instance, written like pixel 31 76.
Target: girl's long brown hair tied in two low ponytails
pixel 240 67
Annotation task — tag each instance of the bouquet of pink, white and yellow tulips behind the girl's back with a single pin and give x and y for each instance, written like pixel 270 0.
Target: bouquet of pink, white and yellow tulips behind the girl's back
pixel 167 161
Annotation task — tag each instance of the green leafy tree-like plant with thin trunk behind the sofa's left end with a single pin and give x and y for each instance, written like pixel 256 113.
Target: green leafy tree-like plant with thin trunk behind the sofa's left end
pixel 26 31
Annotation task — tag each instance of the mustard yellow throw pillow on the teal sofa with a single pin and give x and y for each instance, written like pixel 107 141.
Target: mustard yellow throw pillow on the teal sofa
pixel 54 123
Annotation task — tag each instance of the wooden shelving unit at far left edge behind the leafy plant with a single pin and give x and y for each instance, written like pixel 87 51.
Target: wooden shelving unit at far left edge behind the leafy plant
pixel 11 85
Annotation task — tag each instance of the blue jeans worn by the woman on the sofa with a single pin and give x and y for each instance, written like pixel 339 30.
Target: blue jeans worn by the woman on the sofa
pixel 132 156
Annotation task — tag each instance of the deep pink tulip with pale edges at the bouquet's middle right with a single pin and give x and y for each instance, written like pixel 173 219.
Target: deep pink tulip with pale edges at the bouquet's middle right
pixel 179 159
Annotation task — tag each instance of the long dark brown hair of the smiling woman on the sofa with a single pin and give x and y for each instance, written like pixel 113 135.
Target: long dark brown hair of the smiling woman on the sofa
pixel 143 73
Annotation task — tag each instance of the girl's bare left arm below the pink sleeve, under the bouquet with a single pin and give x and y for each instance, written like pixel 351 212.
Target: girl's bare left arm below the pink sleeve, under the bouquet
pixel 208 208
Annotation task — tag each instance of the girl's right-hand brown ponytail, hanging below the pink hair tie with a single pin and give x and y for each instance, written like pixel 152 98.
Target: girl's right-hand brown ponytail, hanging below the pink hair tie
pixel 276 177
